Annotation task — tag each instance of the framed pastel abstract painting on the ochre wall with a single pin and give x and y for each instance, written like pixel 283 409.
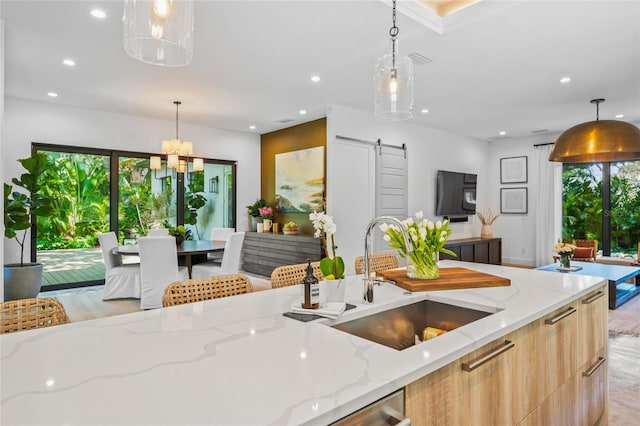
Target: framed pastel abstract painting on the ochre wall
pixel 300 180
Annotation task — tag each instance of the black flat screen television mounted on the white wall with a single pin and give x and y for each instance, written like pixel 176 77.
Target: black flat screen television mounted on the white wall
pixel 455 193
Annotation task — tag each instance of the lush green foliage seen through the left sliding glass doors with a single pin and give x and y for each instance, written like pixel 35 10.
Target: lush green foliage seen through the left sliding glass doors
pixel 79 187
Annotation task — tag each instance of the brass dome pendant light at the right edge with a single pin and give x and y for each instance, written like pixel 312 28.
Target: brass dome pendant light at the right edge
pixel 598 141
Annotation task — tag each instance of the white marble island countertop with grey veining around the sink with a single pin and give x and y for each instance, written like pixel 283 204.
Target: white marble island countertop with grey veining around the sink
pixel 238 361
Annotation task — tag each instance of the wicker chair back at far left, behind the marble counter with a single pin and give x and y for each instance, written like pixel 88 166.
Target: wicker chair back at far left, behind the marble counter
pixel 26 314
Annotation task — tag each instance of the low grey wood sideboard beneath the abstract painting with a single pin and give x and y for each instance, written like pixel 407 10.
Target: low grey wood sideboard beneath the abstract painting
pixel 262 252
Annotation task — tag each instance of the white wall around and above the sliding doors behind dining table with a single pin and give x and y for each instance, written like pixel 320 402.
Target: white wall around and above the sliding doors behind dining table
pixel 26 122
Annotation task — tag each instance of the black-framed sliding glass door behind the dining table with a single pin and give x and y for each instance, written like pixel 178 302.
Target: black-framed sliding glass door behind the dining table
pixel 95 191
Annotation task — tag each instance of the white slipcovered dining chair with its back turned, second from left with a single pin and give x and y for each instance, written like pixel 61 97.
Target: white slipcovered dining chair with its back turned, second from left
pixel 158 268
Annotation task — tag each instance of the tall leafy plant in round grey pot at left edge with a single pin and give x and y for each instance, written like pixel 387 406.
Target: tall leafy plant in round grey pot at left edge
pixel 23 280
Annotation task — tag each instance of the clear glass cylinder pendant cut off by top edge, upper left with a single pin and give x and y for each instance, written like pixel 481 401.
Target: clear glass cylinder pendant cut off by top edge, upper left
pixel 159 32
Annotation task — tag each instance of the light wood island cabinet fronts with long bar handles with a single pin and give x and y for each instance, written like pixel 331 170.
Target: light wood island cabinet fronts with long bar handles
pixel 551 371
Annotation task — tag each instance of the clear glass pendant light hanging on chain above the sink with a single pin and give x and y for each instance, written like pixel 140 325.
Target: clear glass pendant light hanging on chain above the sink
pixel 393 81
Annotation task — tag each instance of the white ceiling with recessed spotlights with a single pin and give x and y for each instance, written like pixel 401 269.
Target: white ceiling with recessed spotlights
pixel 496 67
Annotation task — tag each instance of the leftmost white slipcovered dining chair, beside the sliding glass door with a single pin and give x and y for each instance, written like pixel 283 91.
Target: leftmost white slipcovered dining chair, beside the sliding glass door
pixel 120 281
